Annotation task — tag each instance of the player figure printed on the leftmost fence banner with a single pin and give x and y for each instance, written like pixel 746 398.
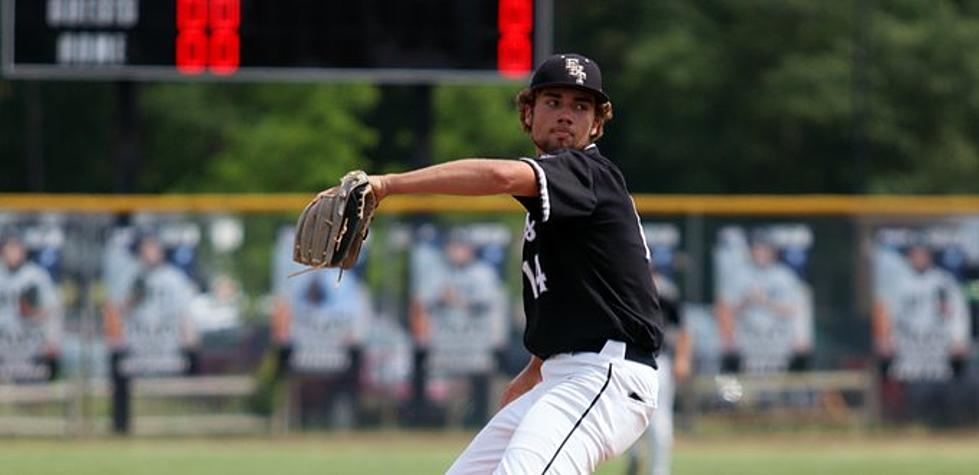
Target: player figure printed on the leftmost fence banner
pixel 30 311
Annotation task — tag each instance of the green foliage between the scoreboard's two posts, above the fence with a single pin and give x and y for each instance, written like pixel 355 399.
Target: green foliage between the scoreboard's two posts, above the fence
pixel 255 138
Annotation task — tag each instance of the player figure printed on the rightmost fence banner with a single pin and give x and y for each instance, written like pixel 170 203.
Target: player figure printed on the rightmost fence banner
pixel 920 321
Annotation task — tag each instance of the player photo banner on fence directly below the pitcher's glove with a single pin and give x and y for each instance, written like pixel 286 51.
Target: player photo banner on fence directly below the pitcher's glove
pixel 320 317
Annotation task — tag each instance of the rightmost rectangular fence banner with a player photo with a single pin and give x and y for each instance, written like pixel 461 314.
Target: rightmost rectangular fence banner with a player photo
pixel 921 318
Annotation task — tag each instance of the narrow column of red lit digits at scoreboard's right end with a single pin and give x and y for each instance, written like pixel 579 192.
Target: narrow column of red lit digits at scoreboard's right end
pixel 515 23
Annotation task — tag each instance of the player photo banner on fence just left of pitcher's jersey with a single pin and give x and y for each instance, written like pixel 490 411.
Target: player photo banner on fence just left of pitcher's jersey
pixel 458 308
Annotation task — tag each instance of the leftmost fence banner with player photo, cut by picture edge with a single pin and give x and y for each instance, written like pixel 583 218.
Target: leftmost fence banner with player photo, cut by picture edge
pixel 31 312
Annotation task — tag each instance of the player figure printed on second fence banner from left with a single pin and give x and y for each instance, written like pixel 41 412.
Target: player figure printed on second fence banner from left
pixel 151 320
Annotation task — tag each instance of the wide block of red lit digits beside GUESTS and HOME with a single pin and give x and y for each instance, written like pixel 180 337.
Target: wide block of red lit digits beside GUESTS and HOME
pixel 207 36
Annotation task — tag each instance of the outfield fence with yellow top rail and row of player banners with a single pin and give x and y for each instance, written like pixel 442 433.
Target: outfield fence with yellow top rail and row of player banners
pixel 883 295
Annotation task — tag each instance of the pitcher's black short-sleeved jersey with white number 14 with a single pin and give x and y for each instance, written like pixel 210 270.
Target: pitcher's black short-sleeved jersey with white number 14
pixel 585 260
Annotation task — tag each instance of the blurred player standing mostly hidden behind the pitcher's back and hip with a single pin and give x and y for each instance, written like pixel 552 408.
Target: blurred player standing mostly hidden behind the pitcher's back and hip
pixel 675 363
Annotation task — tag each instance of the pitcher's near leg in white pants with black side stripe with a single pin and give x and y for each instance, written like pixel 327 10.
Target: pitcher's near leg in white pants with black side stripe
pixel 599 408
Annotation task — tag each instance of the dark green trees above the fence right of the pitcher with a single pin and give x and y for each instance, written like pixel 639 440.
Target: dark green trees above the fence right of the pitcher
pixel 761 95
